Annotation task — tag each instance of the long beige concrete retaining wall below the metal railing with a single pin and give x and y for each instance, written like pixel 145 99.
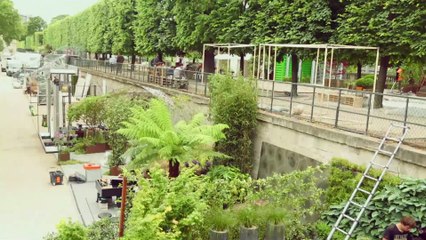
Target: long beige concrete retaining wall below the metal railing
pixel 284 144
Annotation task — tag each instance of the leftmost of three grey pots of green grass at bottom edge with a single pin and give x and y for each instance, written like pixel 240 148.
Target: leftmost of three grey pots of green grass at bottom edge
pixel 220 222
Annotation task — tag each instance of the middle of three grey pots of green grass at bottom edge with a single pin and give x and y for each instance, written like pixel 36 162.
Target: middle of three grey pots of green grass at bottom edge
pixel 248 218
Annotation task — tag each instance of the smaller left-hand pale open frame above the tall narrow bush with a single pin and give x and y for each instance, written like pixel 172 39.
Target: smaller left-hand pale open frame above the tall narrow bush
pixel 228 47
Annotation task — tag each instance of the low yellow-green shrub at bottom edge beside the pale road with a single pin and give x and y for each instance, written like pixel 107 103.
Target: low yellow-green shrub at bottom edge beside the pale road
pixel 68 229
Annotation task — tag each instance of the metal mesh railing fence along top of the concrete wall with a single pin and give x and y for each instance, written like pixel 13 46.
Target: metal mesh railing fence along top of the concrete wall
pixel 345 109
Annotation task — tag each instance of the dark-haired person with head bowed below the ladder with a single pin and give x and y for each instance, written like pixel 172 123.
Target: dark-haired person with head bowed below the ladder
pixel 401 230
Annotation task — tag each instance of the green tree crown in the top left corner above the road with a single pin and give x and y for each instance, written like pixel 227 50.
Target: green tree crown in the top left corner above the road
pixel 10 21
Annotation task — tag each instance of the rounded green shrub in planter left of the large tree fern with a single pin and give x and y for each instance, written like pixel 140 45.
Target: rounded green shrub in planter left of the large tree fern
pixel 90 110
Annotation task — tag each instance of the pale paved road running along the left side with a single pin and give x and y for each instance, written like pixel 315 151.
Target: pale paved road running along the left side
pixel 30 206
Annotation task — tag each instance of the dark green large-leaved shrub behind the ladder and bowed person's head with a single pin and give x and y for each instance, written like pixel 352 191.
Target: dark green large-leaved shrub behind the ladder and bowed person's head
pixel 387 206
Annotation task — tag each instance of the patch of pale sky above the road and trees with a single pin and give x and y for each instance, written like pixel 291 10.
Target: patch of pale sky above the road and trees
pixel 47 9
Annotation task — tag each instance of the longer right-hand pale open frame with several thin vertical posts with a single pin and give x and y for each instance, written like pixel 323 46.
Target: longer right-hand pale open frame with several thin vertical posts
pixel 325 47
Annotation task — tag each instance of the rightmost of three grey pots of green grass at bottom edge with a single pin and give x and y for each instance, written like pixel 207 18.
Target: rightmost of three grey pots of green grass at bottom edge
pixel 275 217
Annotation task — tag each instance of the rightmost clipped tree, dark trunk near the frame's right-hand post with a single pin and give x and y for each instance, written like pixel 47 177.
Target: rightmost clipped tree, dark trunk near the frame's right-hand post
pixel 398 28
